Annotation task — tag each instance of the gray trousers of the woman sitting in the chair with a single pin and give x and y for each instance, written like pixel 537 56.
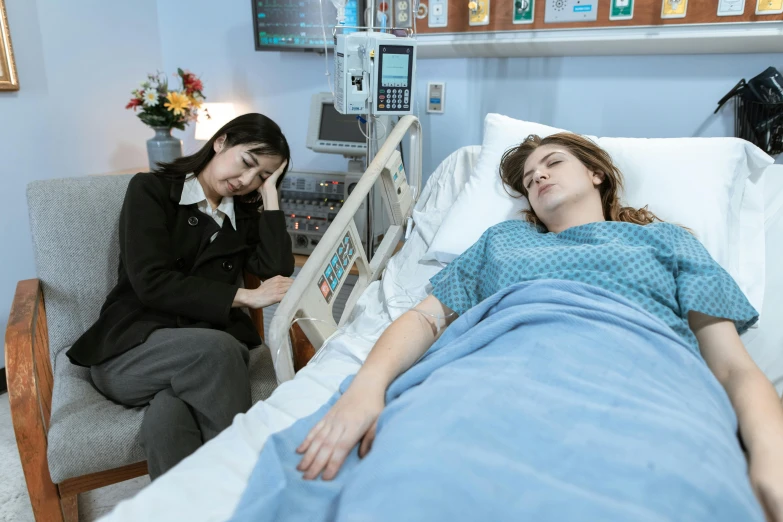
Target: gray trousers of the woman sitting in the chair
pixel 195 381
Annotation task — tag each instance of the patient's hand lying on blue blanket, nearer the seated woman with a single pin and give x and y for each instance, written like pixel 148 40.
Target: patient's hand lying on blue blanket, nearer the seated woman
pixel 352 418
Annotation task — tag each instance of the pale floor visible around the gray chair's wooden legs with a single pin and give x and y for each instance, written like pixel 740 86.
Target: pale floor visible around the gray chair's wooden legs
pixel 14 502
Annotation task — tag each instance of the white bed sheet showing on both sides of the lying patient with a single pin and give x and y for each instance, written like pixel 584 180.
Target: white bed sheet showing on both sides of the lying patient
pixel 207 485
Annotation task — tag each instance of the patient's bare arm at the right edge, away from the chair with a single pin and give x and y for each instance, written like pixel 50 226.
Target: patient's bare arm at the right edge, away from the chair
pixel 755 401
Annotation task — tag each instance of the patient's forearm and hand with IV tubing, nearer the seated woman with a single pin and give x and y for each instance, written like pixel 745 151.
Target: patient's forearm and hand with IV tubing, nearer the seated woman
pixel 353 416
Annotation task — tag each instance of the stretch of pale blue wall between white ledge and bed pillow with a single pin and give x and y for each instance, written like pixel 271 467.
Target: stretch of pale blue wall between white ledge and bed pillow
pixel 636 96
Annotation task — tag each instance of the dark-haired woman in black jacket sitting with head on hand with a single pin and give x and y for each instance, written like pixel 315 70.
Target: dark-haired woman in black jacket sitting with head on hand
pixel 171 333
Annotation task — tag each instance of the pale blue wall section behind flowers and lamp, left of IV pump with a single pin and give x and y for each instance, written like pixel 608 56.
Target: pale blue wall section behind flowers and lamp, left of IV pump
pixel 215 40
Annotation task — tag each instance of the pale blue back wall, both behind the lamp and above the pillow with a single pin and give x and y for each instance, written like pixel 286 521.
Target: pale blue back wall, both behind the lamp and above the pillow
pixel 652 96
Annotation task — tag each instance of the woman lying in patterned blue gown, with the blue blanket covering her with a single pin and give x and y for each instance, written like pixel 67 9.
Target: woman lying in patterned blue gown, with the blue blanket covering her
pixel 582 380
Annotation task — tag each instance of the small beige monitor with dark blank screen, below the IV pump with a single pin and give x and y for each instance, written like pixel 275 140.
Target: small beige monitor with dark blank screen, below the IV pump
pixel 332 132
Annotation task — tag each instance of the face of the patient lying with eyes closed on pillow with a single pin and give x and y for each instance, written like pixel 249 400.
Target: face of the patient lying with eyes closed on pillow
pixel 554 179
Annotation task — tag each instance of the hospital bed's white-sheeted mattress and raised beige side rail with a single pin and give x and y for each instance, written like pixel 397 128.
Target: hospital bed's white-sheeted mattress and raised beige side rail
pixel 208 484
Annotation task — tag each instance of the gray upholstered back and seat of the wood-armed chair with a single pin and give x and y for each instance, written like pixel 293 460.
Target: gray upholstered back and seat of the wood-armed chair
pixel 74 224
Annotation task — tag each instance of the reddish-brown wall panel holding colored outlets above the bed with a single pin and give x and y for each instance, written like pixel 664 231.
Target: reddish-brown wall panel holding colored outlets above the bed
pixel 646 13
